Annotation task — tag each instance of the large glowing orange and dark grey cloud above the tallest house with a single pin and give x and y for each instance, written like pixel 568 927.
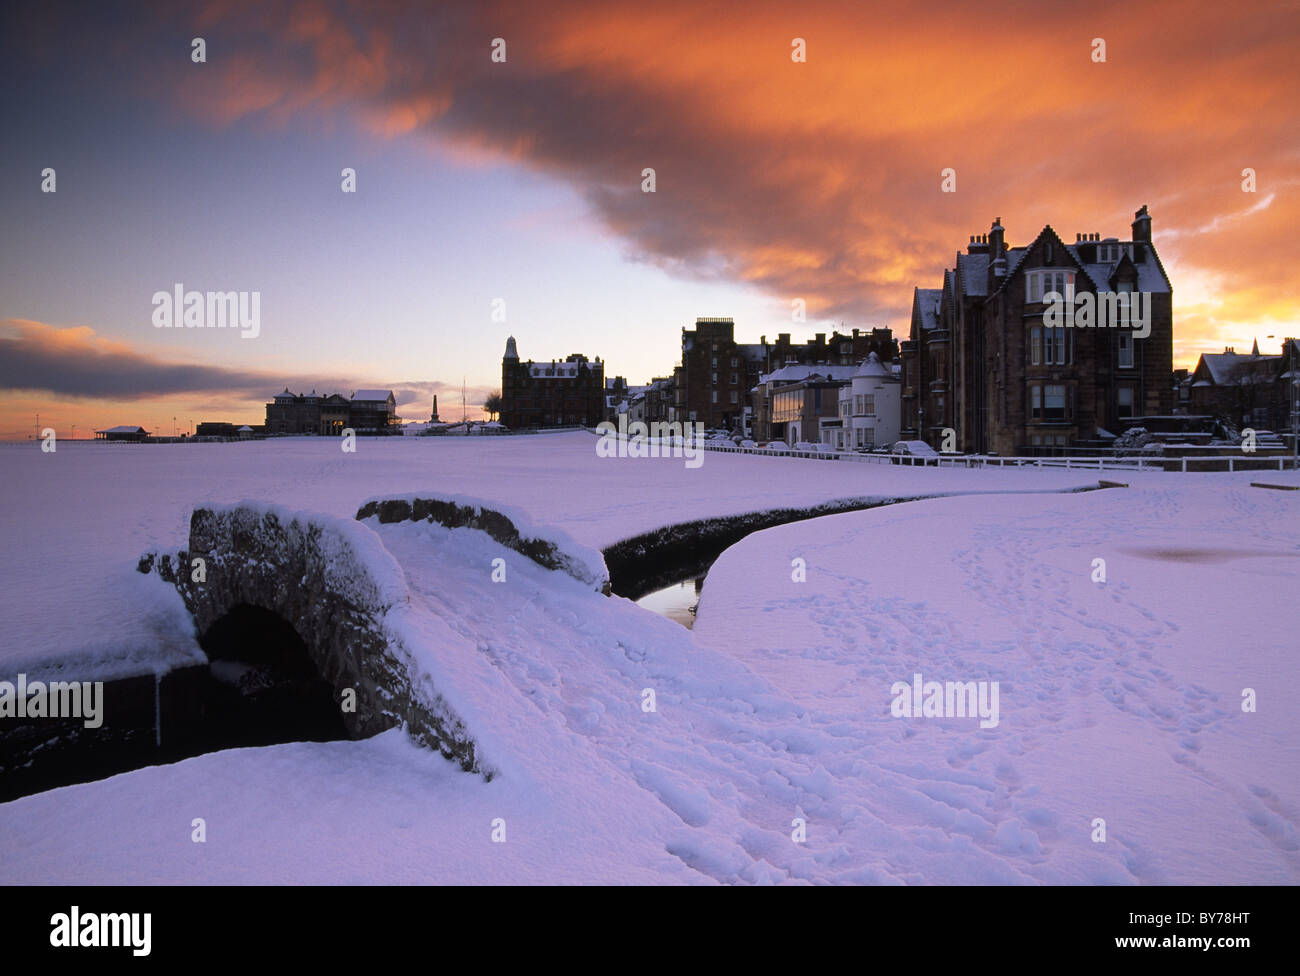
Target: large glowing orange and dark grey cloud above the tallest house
pixel 818 180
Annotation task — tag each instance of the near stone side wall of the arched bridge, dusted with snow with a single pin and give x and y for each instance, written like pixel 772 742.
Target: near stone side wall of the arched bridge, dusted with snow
pixel 341 589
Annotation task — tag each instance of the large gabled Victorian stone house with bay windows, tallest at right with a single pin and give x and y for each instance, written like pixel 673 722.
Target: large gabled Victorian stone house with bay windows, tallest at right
pixel 985 361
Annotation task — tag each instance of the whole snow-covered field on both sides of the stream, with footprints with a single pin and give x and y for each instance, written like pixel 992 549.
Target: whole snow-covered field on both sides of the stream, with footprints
pixel 1119 700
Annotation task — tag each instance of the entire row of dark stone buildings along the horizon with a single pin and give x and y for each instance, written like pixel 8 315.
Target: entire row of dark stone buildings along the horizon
pixel 985 368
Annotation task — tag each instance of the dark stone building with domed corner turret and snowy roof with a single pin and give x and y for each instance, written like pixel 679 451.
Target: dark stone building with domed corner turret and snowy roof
pixel 561 393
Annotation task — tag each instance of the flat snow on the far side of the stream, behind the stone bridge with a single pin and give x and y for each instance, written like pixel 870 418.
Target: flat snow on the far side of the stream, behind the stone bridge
pixel 75 522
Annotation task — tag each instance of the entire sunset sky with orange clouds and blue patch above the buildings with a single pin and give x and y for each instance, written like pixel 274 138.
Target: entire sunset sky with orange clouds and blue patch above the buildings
pixel 514 190
